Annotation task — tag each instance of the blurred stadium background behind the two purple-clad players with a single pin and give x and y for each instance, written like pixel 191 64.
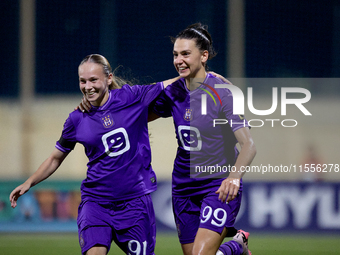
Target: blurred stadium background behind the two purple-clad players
pixel 277 43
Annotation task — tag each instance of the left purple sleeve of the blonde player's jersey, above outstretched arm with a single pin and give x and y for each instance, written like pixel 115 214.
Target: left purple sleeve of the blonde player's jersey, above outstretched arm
pixel 67 139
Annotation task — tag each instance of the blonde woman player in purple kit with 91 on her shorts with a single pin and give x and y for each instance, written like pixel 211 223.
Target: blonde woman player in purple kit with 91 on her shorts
pixel 116 204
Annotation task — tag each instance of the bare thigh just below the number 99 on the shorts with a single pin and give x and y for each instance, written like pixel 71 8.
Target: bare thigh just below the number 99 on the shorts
pixel 207 241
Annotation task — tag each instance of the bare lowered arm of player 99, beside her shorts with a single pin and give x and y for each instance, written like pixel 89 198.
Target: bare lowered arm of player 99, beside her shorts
pixel 230 186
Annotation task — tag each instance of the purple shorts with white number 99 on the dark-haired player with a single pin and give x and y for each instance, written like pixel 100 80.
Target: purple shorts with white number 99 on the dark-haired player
pixel 203 211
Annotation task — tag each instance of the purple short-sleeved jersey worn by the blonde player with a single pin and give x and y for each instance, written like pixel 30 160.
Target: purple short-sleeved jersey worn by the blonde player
pixel 116 141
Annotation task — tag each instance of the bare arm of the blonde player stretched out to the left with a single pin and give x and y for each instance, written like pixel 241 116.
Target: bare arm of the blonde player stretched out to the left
pixel 47 168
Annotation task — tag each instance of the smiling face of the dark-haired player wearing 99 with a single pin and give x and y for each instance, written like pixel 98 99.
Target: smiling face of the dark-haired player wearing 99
pixel 189 61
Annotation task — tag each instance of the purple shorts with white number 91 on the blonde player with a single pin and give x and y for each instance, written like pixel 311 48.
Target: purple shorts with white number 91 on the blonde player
pixel 130 224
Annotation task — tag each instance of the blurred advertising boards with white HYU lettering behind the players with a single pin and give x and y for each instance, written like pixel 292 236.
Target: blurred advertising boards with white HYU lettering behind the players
pixel 279 207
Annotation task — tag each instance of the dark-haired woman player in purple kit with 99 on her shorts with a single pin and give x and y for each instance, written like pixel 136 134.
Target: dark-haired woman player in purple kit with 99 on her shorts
pixel 205 205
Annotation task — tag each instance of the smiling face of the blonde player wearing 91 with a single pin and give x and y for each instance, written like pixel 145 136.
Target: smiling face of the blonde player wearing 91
pixel 93 83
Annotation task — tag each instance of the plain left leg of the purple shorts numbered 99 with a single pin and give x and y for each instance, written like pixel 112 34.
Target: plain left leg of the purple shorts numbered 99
pixel 187 218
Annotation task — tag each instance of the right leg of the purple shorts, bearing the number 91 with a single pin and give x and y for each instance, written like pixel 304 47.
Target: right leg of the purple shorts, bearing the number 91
pixel 135 227
